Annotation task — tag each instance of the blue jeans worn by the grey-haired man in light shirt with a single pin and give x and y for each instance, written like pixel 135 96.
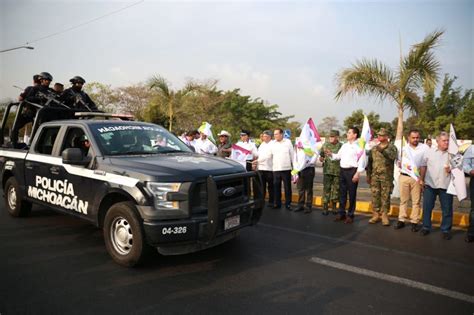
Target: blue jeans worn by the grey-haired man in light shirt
pixel 446 200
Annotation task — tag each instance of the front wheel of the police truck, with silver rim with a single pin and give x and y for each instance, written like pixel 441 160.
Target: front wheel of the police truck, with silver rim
pixel 124 236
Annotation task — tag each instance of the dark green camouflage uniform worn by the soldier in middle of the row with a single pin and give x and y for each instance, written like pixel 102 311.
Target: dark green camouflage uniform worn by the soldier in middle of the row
pixel 331 170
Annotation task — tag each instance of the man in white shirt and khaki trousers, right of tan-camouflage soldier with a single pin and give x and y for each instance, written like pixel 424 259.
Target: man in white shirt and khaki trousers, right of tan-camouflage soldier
pixel 409 186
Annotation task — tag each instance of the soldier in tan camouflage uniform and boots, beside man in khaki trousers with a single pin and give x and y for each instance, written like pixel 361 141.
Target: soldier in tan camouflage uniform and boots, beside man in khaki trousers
pixel 380 176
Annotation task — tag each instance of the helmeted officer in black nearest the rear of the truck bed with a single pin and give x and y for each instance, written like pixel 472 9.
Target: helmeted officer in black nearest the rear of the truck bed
pixel 40 95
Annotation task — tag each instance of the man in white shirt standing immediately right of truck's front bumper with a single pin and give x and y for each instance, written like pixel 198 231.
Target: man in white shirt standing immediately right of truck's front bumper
pixel 264 165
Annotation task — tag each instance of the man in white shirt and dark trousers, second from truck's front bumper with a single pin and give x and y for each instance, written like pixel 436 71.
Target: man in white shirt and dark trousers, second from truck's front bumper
pixel 282 156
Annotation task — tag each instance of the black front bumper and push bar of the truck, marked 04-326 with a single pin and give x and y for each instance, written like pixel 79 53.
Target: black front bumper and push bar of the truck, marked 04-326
pixel 217 225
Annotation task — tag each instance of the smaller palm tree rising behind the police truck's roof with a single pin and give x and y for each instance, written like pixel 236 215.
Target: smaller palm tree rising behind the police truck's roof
pixel 169 98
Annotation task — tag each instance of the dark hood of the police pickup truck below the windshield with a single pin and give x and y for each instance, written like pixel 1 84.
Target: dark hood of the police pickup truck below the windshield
pixel 174 166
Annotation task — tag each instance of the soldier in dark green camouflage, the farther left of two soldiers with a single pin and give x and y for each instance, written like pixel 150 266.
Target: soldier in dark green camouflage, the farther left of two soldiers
pixel 331 171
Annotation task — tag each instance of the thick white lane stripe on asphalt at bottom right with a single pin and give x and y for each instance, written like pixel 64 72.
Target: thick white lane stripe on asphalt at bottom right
pixel 394 279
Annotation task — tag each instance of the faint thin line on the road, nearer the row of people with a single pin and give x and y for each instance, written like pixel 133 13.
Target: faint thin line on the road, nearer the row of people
pixel 346 240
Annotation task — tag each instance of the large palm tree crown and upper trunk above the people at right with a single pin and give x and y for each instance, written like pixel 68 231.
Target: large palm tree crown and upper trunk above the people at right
pixel 417 71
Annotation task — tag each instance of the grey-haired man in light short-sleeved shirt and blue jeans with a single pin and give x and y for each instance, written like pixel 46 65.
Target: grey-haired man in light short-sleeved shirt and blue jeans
pixel 436 175
